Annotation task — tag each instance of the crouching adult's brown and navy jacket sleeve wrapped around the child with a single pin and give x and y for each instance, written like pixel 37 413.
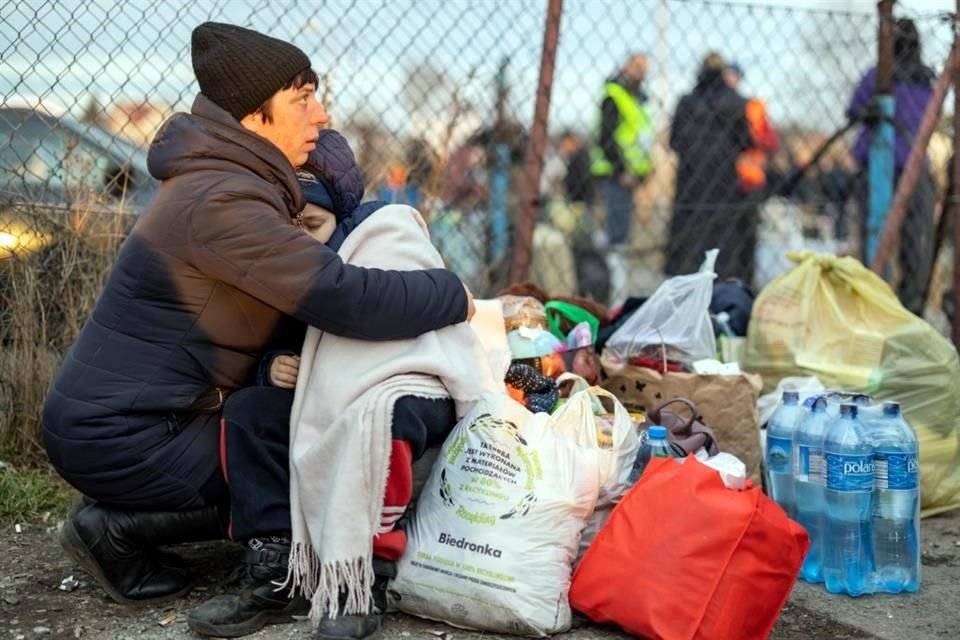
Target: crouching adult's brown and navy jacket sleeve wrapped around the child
pixel 244 241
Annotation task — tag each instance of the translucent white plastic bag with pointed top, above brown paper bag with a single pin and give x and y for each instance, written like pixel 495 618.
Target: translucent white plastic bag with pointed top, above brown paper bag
pixel 676 315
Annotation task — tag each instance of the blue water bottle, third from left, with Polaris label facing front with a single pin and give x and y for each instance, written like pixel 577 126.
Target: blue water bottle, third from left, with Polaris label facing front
pixel 848 491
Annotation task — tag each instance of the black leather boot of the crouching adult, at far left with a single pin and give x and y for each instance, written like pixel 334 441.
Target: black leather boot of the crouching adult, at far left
pixel 118 548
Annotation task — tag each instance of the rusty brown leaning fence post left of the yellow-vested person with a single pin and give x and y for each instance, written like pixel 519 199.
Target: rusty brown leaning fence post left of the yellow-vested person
pixel 538 142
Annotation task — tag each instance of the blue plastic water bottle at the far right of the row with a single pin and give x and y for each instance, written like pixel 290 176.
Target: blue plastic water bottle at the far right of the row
pixel 896 503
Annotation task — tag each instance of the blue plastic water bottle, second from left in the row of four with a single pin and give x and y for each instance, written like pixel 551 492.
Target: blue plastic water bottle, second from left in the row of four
pixel 808 484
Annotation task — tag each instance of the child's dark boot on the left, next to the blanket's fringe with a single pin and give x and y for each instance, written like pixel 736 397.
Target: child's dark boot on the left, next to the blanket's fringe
pixel 259 600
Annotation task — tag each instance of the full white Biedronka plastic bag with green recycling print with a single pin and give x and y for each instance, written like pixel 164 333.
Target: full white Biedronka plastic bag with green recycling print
pixel 496 529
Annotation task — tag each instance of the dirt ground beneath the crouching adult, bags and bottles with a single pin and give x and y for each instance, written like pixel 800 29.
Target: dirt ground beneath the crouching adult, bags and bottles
pixel 32 606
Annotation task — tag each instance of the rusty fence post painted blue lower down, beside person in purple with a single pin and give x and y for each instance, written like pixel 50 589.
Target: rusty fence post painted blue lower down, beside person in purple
pixel 881 158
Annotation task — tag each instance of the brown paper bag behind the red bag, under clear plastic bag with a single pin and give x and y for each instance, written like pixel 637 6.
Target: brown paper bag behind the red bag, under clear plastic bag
pixel 726 404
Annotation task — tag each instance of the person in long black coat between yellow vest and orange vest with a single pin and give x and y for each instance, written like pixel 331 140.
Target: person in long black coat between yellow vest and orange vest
pixel 708 133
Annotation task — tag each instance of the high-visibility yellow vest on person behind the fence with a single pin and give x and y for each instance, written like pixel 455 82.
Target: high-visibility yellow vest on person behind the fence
pixel 634 135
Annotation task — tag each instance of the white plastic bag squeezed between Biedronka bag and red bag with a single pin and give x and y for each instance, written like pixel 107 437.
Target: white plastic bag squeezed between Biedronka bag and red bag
pixel 616 450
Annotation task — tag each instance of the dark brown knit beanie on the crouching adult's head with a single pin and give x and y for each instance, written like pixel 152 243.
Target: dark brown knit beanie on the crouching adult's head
pixel 239 69
